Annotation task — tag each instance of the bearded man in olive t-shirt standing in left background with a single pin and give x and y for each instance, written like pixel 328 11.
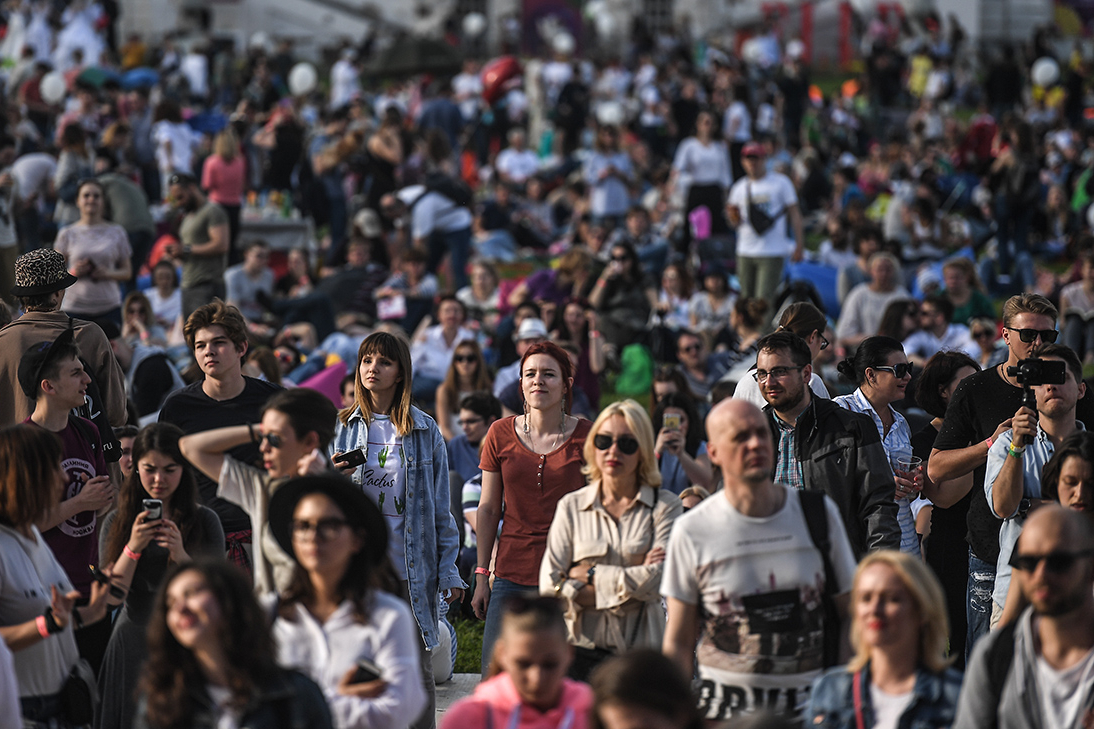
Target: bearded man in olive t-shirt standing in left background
pixel 204 240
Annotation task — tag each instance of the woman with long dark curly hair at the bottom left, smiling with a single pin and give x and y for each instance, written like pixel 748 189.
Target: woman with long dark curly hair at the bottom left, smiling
pixel 213 661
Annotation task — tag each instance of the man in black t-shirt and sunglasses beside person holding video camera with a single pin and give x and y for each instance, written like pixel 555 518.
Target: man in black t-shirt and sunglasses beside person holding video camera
pixel 980 412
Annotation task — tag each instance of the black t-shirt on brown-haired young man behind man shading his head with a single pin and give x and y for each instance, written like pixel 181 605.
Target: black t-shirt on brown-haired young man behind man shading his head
pixel 194 412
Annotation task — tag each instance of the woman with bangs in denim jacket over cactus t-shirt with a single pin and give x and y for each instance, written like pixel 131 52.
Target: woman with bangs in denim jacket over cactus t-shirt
pixel 397 454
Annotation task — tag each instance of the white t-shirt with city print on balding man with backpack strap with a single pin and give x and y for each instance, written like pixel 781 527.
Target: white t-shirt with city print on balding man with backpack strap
pixel 759 585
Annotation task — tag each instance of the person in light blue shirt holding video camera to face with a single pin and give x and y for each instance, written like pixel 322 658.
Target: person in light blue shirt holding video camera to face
pixel 1012 483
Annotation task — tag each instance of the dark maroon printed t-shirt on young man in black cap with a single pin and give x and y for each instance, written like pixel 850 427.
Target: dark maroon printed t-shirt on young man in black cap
pixel 75 542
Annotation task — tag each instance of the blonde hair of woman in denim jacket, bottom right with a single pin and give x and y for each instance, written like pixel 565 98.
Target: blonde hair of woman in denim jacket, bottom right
pixel 930 604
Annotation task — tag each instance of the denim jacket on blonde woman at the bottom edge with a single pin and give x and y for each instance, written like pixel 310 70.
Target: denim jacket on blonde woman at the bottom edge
pixel 832 701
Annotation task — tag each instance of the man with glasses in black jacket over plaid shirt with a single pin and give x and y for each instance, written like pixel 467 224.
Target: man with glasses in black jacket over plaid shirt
pixel 824 448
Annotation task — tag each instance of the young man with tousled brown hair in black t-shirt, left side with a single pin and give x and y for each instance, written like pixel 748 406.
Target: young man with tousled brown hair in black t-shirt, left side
pixel 217 335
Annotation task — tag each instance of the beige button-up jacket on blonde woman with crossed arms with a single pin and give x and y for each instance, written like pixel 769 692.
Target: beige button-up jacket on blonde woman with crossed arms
pixel 584 530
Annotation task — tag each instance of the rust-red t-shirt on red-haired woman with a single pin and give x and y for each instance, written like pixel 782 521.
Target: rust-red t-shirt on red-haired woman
pixel 532 487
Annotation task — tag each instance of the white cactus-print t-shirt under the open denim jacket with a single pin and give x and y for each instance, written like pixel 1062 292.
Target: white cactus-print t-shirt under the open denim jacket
pixel 383 479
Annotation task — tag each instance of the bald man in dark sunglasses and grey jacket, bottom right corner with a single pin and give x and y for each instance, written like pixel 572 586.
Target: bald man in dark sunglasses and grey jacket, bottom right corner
pixel 1039 673
